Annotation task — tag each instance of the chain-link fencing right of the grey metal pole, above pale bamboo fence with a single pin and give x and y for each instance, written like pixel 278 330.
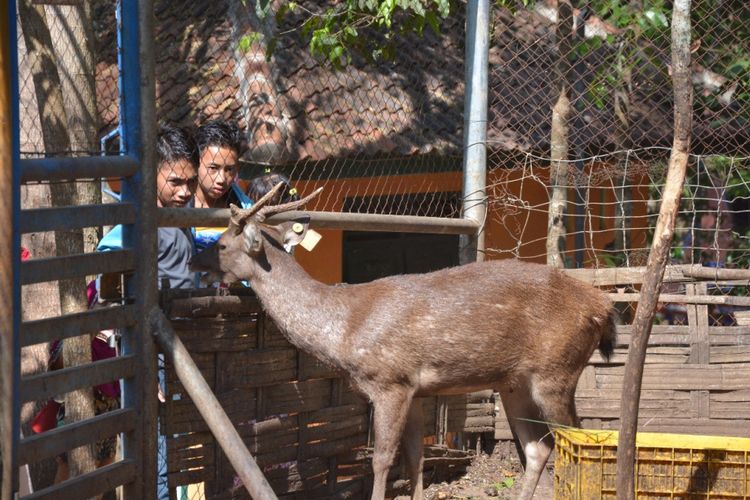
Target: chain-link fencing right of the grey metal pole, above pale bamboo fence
pixel 614 65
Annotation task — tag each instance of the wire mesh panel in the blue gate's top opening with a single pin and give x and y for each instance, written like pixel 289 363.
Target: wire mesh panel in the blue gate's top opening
pixel 63 51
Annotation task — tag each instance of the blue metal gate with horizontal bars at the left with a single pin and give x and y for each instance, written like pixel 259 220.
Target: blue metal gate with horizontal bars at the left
pixel 136 419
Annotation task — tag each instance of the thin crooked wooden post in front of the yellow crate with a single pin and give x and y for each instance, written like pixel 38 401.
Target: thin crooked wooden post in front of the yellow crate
pixel 659 255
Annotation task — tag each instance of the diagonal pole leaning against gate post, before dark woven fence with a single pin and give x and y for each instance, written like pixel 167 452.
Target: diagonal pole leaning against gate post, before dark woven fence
pixel 210 409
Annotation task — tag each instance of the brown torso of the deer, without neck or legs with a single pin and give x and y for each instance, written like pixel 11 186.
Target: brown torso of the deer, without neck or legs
pixel 492 318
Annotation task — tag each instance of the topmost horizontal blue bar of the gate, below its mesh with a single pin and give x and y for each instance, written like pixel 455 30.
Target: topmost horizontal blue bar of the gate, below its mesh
pixel 77 168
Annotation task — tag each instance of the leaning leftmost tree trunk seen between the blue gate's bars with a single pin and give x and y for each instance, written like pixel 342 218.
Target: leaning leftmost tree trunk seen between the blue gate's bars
pixel 79 404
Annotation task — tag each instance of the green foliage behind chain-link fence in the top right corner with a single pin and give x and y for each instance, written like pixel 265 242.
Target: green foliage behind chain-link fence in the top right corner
pixel 720 30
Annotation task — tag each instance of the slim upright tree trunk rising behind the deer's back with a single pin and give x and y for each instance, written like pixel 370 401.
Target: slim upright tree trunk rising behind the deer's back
pixel 559 139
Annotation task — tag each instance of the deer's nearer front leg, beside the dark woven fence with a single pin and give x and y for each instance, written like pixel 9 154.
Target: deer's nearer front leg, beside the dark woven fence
pixel 391 408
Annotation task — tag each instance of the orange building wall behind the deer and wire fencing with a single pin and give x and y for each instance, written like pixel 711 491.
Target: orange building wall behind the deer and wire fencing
pixel 518 211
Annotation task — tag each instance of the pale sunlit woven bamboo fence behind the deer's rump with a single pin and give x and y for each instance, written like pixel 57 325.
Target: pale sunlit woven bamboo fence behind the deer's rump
pixel 697 373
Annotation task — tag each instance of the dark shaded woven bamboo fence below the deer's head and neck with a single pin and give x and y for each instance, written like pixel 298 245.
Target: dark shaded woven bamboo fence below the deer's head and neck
pixel 308 430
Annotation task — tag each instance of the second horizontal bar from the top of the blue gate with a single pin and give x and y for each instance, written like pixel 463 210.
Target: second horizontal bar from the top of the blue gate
pixel 38 220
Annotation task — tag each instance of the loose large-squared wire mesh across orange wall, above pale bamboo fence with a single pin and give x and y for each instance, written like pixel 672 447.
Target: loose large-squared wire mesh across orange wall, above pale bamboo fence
pixel 613 203
